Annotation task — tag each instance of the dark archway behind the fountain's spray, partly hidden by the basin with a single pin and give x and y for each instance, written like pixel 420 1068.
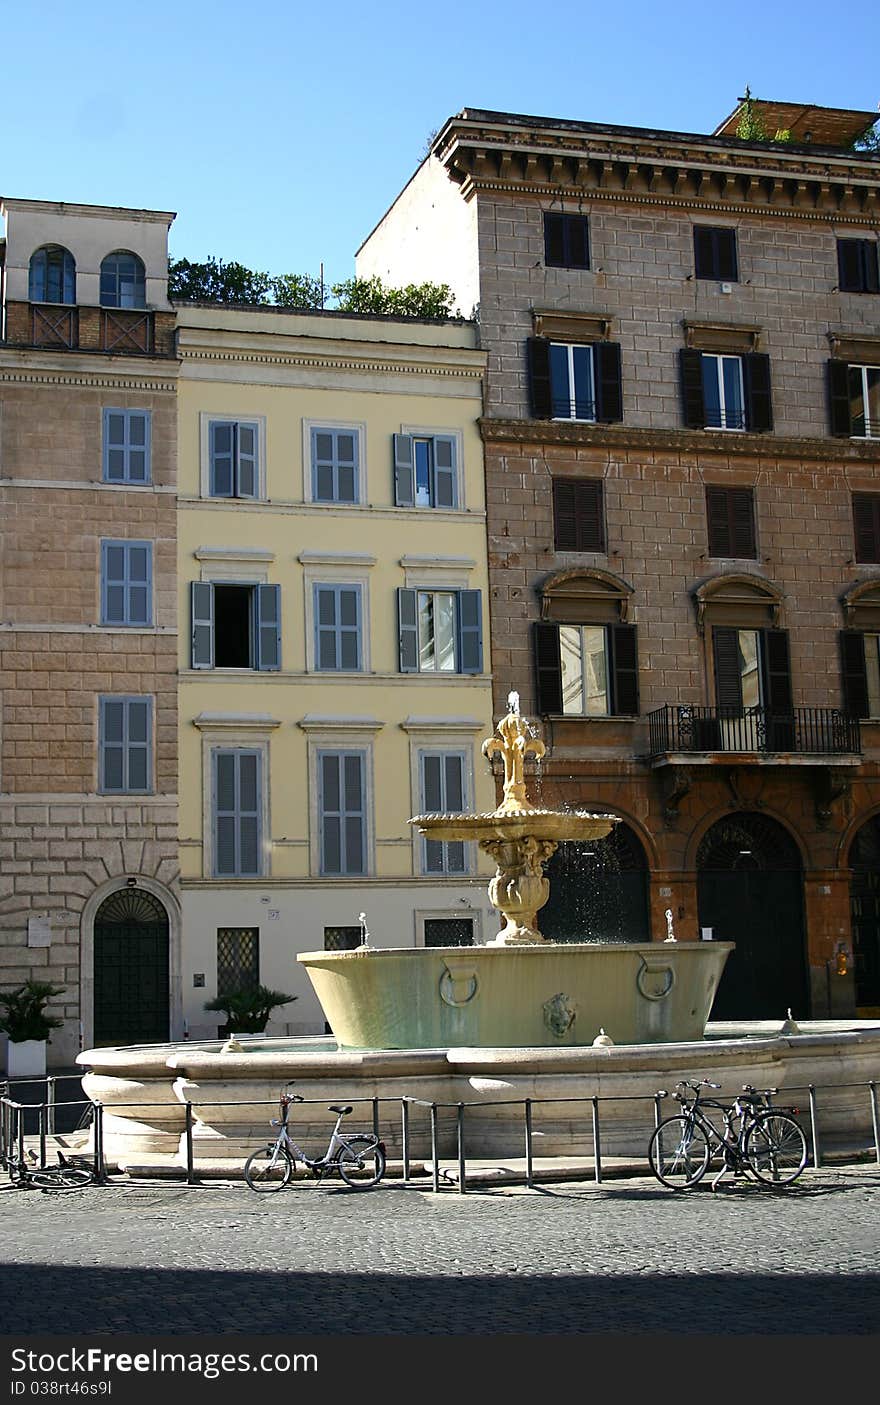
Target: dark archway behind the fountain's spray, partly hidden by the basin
pixel 598 891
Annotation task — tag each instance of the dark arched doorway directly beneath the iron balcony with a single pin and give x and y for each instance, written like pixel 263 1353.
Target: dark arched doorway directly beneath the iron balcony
pixel 750 891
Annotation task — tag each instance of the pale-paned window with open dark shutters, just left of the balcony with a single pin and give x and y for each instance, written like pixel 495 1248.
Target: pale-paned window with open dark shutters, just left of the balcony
pixel 587 669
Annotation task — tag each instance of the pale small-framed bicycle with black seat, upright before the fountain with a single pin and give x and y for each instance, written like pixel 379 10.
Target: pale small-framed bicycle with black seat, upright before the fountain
pixel 361 1160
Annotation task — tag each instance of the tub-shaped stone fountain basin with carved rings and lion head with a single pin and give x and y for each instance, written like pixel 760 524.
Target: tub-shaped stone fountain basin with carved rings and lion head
pixel 533 997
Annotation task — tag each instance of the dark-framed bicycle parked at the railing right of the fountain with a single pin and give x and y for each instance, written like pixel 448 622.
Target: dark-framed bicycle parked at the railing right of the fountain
pixel 768 1143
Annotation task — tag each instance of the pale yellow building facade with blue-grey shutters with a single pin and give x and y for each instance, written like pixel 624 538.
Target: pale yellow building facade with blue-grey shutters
pixel 334 646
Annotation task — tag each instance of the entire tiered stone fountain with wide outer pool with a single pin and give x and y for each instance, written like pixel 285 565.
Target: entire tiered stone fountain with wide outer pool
pixel 519 1018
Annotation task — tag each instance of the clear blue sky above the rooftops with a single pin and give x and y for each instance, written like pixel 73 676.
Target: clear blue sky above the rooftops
pixel 280 133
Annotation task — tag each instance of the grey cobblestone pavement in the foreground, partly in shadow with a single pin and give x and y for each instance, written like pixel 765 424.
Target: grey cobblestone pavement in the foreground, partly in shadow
pixel 562 1260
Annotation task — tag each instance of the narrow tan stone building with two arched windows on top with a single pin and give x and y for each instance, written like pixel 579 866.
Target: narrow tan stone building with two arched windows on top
pixel 89 873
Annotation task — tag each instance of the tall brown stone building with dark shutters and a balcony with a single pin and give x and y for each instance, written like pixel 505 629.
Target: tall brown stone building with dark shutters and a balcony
pixel 682 443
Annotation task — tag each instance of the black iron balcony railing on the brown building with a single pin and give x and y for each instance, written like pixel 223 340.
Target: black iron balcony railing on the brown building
pixel 805 731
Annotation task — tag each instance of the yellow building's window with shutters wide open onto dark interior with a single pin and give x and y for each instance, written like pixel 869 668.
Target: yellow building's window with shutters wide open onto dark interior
pixel 235 626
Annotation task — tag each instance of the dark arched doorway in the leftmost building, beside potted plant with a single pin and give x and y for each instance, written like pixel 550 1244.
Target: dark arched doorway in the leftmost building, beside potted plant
pixel 131 970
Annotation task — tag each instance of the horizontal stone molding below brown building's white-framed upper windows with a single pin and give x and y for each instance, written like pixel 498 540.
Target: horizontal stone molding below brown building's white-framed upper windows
pixel 678 442
